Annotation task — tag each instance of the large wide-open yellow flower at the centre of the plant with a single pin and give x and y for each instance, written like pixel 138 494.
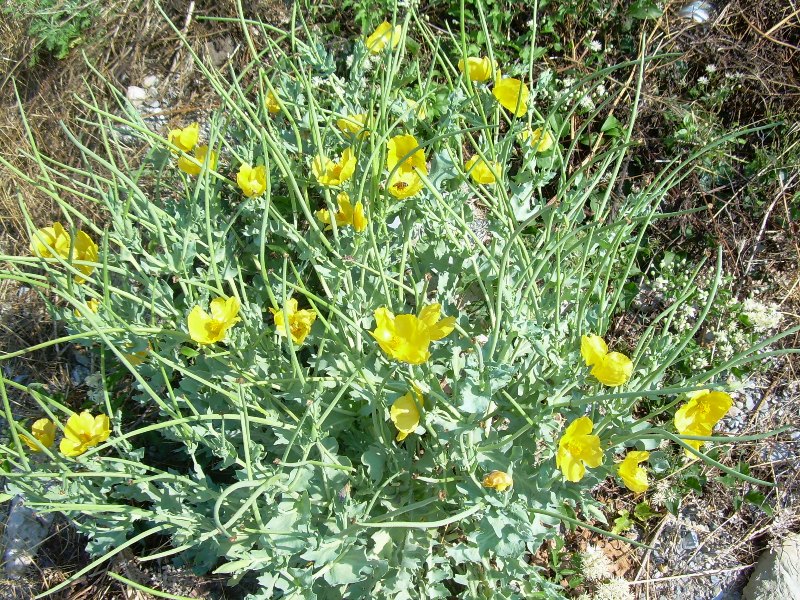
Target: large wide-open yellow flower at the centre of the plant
pixel 407 337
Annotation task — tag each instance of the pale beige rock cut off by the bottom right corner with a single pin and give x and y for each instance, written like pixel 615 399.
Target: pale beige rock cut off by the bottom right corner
pixel 777 573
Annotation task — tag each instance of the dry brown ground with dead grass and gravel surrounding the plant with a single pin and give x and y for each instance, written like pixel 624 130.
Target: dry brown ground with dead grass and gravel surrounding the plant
pixel 760 40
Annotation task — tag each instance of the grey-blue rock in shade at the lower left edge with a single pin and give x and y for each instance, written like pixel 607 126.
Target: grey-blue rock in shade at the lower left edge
pixel 25 530
